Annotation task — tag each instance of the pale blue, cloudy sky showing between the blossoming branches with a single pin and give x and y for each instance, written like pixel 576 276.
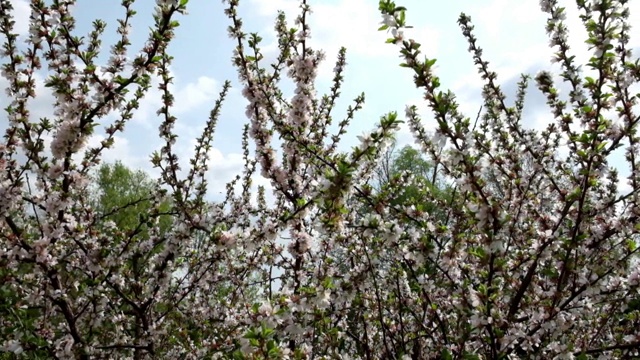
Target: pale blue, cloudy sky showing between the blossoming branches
pixel 512 34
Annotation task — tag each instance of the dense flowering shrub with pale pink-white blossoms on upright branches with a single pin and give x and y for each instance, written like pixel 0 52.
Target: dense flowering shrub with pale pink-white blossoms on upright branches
pixel 532 257
